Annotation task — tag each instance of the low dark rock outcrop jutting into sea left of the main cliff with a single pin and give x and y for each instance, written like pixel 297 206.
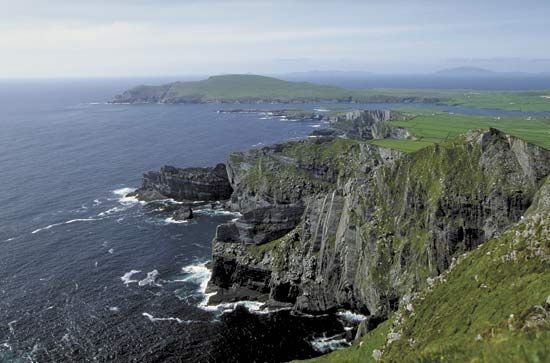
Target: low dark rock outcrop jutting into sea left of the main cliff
pixel 191 184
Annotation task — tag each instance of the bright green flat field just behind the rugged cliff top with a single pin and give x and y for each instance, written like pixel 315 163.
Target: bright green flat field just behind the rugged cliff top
pixel 430 127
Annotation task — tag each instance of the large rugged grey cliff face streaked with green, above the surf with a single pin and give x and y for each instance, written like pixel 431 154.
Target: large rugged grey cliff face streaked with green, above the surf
pixel 376 224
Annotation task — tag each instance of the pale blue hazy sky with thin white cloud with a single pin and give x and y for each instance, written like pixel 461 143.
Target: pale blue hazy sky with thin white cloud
pixel 125 38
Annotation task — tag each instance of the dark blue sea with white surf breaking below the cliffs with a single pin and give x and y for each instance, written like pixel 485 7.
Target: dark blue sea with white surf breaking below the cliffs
pixel 89 275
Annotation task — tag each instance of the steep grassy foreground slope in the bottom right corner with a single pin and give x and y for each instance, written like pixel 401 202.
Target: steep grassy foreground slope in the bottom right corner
pixel 493 305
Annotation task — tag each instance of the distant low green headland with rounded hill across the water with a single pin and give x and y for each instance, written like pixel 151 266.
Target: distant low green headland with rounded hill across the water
pixel 253 88
